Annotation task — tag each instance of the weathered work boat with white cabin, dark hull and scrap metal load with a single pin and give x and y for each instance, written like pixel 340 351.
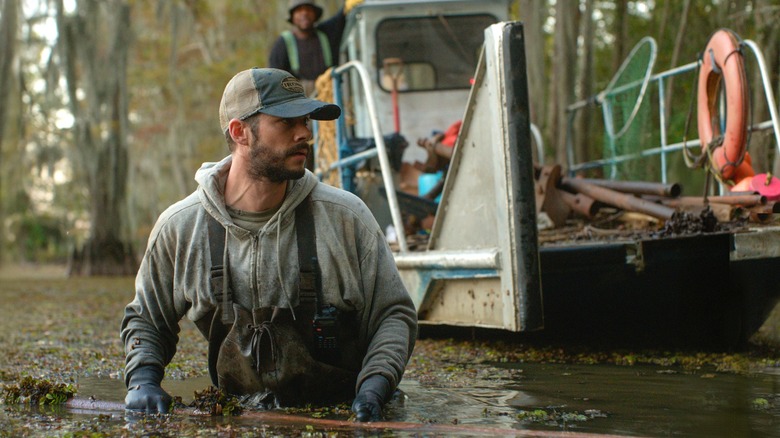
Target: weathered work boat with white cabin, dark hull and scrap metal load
pixel 498 256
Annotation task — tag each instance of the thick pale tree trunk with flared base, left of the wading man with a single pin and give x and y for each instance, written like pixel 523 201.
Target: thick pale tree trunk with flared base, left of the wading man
pixel 94 45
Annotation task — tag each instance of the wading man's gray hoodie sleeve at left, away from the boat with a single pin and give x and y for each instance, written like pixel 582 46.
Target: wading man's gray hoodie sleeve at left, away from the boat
pixel 150 326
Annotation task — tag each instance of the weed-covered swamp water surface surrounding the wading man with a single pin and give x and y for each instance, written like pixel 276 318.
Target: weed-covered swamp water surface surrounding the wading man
pixel 66 330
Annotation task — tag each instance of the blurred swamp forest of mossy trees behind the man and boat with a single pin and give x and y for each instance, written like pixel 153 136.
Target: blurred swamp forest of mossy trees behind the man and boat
pixel 107 107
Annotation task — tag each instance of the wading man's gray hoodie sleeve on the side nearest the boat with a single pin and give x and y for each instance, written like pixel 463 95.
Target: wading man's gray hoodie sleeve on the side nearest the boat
pixel 389 315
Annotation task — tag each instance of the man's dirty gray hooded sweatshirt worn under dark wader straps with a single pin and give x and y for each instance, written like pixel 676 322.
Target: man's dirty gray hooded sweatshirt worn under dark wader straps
pixel 358 272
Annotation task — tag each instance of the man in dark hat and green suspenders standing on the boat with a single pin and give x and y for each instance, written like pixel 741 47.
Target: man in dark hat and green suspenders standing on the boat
pixel 309 48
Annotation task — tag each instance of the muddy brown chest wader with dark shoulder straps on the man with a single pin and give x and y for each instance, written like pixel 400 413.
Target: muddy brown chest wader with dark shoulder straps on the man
pixel 311 357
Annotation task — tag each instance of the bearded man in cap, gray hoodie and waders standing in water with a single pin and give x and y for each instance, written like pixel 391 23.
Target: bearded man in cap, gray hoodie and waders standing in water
pixel 290 280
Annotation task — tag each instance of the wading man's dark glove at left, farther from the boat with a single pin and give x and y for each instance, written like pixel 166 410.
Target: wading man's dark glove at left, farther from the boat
pixel 144 392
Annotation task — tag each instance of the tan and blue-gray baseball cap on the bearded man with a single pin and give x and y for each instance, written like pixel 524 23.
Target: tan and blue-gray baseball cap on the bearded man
pixel 270 91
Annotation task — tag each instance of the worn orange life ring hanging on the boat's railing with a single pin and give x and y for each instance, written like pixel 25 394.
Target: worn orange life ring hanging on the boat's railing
pixel 722 60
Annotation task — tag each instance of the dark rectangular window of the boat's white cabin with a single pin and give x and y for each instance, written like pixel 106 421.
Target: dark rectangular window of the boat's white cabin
pixel 429 53
